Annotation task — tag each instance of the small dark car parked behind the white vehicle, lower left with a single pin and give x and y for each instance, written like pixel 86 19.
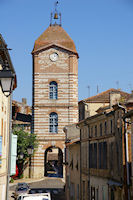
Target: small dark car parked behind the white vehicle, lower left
pixel 21 188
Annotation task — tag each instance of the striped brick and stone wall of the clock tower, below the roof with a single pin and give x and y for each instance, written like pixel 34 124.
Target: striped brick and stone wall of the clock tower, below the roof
pixel 65 73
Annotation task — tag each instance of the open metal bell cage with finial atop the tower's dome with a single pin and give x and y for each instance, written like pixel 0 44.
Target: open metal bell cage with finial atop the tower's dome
pixel 55 16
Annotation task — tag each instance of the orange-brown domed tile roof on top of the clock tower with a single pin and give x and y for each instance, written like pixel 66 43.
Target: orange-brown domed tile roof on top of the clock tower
pixel 54 35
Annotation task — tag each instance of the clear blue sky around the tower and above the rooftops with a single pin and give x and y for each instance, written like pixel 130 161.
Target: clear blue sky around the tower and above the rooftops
pixel 102 32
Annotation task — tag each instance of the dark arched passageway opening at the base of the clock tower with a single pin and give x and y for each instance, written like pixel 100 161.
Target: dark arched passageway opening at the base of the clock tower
pixel 53 162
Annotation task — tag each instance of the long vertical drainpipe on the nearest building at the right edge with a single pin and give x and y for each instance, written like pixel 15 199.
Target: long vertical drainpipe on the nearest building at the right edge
pixel 126 153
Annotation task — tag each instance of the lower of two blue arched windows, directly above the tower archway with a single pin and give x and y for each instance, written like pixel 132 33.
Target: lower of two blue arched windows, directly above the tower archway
pixel 53 122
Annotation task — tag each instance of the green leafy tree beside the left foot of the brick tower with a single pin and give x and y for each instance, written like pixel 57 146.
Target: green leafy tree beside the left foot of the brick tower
pixel 24 140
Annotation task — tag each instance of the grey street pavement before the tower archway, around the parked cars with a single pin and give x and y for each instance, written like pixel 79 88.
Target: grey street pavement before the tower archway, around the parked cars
pixel 49 184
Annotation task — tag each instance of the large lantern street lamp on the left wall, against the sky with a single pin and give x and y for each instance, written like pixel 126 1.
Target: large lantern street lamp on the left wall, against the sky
pixel 6 81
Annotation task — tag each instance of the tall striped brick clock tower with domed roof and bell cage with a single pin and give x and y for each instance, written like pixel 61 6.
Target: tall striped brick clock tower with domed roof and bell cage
pixel 55 97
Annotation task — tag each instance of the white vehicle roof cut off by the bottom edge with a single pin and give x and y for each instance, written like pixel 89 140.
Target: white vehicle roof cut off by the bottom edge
pixel 41 196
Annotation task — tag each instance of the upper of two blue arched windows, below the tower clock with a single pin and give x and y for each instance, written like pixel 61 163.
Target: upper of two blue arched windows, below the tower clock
pixel 53 90
